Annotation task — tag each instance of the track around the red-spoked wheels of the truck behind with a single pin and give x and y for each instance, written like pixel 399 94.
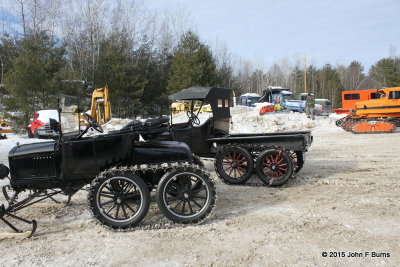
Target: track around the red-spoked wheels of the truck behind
pixel 255 149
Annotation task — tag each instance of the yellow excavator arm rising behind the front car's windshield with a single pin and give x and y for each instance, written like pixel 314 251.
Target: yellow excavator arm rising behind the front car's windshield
pixel 100 108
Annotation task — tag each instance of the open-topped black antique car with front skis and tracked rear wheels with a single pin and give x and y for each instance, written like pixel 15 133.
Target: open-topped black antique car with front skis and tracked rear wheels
pixel 120 169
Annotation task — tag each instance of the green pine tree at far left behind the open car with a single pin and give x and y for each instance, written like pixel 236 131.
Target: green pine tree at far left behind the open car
pixel 33 81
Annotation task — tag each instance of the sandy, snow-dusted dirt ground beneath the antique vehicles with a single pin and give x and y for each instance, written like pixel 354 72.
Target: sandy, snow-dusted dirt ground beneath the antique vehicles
pixel 346 199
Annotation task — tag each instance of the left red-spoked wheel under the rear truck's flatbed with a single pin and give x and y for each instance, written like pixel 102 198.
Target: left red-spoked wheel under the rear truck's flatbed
pixel 234 165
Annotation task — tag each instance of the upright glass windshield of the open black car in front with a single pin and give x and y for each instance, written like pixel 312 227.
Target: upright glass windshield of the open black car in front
pixel 69 114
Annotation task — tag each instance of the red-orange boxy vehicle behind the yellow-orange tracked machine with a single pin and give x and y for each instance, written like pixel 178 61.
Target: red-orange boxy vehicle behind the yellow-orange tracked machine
pixel 350 98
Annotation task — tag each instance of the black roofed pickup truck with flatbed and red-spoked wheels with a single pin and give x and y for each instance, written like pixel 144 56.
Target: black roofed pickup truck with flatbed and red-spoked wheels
pixel 274 156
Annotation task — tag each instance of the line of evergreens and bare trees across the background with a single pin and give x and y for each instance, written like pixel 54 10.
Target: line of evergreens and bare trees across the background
pixel 142 56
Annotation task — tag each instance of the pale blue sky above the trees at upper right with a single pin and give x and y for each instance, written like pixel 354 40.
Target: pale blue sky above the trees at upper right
pixel 325 31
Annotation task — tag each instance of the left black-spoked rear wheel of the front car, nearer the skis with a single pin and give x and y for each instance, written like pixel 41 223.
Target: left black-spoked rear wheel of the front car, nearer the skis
pixel 119 200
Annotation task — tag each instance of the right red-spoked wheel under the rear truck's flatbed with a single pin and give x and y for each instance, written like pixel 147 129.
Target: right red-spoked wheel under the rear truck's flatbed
pixel 274 167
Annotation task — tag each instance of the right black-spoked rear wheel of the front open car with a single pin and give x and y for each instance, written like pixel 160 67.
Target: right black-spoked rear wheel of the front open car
pixel 186 195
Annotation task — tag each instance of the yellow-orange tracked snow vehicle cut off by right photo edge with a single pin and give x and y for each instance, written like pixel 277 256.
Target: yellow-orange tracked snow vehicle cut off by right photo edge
pixel 381 115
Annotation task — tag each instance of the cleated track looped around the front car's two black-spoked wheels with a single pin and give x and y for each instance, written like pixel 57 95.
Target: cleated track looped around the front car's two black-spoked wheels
pixel 143 168
